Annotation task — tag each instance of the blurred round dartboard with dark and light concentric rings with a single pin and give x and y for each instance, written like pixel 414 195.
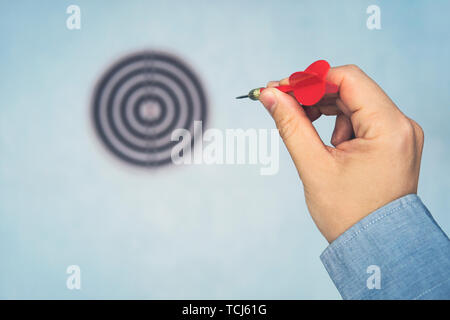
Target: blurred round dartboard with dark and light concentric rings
pixel 140 100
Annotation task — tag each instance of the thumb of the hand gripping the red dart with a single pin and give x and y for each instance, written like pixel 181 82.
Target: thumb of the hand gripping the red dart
pixel 298 133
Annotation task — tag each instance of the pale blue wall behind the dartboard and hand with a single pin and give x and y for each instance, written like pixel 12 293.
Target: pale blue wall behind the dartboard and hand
pixel 198 231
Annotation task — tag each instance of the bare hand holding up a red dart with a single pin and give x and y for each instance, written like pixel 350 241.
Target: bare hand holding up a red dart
pixel 376 158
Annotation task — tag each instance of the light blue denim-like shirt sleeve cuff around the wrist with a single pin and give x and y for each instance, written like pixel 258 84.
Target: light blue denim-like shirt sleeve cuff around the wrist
pixel 396 252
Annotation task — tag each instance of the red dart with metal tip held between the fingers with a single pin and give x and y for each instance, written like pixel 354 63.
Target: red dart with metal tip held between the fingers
pixel 308 86
